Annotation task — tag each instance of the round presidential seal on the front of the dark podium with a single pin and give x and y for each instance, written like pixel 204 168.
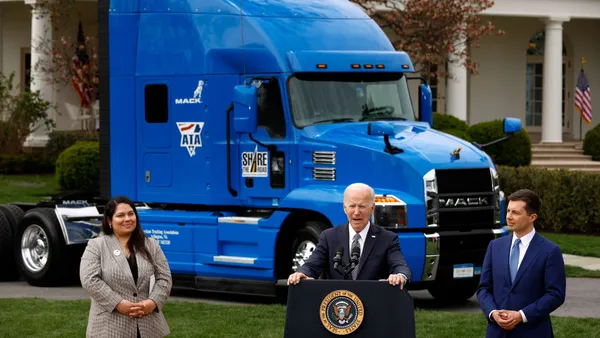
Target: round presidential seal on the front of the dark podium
pixel 341 312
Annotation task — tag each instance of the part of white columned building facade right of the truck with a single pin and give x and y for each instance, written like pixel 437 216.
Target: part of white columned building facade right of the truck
pixel 531 72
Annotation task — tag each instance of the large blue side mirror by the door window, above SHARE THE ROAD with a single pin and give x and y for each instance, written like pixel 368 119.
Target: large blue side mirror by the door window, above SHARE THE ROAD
pixel 245 109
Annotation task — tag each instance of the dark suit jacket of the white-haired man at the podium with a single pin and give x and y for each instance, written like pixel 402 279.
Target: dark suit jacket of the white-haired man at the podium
pixel 381 254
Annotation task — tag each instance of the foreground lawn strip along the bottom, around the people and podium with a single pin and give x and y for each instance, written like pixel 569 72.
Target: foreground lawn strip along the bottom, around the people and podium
pixel 53 318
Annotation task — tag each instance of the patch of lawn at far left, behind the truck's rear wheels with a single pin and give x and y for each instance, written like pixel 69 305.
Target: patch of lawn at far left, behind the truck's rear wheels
pixel 26 188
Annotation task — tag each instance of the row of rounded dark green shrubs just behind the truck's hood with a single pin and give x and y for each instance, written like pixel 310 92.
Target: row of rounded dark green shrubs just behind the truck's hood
pixel 513 152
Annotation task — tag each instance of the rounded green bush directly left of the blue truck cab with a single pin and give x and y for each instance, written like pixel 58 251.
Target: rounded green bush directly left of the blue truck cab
pixel 77 168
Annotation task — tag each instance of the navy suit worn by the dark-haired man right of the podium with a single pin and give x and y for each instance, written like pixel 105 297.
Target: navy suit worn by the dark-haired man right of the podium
pixel 538 289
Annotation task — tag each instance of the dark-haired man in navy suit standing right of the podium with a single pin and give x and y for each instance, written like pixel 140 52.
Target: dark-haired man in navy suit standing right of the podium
pixel 523 275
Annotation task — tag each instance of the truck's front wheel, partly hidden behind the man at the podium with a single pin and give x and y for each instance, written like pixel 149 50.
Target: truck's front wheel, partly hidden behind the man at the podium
pixel 304 243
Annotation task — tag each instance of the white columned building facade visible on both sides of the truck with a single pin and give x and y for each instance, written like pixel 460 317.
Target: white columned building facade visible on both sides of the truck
pixel 530 73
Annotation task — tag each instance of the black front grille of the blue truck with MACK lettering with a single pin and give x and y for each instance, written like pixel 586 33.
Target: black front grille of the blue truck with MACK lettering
pixel 466 198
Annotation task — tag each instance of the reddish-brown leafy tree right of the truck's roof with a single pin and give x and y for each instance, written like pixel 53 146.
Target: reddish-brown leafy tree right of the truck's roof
pixel 433 32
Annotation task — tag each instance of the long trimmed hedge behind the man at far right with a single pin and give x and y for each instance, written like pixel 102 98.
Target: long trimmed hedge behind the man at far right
pixel 569 198
